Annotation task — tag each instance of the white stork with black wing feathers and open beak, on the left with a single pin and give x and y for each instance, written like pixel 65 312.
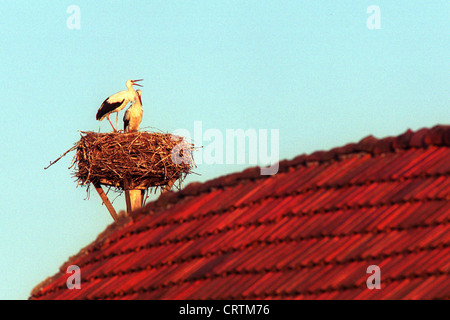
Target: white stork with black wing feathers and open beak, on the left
pixel 117 102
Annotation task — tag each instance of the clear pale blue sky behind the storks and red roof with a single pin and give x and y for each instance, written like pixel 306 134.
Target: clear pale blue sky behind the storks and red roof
pixel 311 69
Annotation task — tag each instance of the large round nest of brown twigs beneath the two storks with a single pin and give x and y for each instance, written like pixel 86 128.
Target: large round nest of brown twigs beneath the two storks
pixel 136 160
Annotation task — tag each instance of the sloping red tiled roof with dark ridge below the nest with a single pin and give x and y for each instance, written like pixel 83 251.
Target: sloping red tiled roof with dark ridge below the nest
pixel 308 232
